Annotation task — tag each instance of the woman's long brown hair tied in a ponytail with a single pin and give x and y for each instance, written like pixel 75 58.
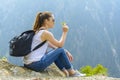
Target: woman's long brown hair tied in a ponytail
pixel 40 18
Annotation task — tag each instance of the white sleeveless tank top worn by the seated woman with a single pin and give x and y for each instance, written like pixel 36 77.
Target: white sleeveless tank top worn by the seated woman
pixel 38 53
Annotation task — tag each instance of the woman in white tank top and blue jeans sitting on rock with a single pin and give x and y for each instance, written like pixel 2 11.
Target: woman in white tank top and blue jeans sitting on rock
pixel 40 59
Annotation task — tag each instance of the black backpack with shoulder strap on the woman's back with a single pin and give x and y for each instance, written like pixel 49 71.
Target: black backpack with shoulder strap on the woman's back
pixel 21 45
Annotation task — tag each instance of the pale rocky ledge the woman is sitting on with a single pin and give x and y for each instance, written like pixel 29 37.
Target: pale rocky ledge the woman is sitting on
pixel 14 72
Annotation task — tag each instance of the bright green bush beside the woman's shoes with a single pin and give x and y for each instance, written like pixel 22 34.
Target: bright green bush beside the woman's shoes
pixel 98 70
